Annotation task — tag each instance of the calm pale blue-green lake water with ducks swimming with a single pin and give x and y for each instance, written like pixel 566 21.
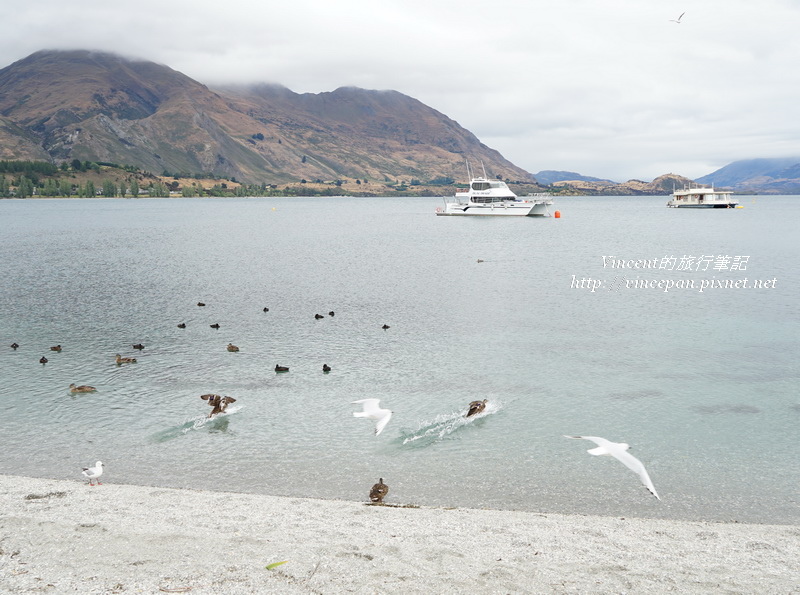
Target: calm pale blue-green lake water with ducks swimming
pixel 703 384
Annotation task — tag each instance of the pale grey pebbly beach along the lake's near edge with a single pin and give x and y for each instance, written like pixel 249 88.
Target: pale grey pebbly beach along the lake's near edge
pixel 64 536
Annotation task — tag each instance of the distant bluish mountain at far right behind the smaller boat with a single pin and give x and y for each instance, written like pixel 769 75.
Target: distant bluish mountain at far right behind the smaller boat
pixel 773 176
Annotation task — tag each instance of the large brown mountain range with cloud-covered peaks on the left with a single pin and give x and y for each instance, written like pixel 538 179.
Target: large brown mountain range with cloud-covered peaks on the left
pixel 94 106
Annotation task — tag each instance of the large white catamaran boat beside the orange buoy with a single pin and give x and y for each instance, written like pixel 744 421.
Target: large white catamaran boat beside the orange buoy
pixel 493 197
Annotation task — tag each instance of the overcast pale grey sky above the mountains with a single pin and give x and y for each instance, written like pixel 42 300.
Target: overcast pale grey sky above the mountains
pixel 606 88
